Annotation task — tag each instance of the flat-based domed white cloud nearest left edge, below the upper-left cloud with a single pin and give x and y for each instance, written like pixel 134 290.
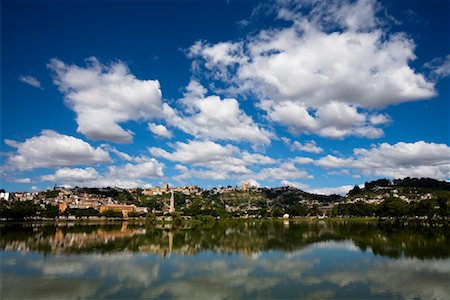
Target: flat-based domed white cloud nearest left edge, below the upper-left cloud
pixel 51 149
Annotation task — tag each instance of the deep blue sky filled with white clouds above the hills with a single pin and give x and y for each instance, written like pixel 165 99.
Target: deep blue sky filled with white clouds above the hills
pixel 318 95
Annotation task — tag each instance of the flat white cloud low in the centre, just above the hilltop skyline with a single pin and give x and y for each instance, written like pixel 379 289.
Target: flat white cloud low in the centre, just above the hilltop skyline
pixel 211 160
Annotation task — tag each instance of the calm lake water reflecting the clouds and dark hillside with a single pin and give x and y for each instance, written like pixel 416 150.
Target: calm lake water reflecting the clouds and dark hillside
pixel 222 261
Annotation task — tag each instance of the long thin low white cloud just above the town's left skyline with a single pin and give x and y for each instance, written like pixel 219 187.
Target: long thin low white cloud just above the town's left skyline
pixel 126 176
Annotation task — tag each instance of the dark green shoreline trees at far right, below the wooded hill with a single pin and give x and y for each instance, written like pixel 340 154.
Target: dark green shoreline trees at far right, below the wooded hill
pixel 395 207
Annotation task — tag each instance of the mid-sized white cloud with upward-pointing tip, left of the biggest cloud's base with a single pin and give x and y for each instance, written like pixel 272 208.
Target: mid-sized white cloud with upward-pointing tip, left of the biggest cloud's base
pixel 214 118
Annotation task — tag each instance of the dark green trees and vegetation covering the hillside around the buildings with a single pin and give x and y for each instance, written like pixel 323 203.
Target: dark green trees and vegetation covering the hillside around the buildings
pixel 426 198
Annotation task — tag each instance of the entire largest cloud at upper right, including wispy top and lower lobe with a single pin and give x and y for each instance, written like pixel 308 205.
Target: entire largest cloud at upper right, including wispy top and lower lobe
pixel 322 73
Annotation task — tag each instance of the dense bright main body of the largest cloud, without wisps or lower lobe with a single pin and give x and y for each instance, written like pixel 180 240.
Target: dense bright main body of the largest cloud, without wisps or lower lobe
pixel 332 66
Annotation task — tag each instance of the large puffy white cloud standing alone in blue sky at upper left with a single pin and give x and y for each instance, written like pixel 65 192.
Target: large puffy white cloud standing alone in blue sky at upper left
pixel 104 96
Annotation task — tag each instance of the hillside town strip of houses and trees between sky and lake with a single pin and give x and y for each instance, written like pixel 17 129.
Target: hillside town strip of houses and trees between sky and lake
pixel 406 197
